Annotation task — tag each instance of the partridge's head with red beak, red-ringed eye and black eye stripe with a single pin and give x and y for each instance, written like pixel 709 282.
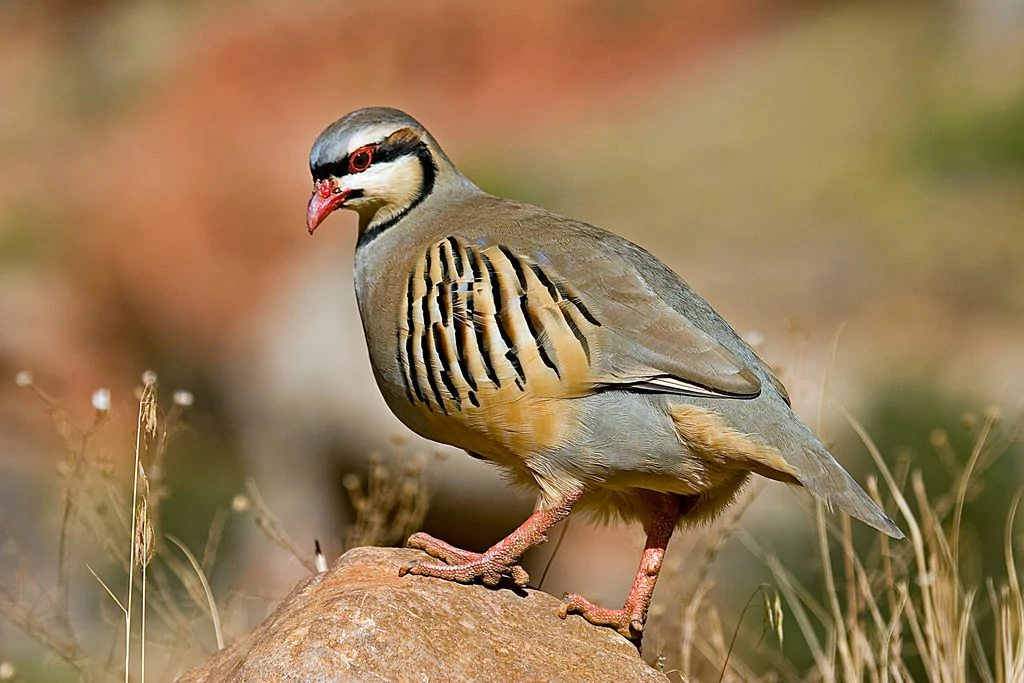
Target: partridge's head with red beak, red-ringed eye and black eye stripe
pixel 378 162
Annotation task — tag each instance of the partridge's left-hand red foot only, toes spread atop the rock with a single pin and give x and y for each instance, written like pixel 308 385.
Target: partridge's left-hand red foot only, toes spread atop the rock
pixel 463 566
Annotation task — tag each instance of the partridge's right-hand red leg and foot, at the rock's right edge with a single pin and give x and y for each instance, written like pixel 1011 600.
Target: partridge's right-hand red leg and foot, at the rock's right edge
pixel 631 619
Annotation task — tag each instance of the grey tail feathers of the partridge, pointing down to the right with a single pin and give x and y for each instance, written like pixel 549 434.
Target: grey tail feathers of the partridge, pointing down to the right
pixel 820 474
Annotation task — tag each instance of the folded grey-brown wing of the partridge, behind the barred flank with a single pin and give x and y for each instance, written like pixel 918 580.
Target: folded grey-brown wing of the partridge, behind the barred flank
pixel 641 341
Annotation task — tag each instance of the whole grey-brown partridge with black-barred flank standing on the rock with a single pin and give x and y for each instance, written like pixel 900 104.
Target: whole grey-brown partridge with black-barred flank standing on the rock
pixel 574 360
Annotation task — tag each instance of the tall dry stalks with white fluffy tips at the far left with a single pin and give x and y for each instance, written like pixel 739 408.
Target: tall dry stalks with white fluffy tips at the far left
pixel 118 538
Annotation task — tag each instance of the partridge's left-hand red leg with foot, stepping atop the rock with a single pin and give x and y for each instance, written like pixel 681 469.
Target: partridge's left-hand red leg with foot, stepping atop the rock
pixel 500 561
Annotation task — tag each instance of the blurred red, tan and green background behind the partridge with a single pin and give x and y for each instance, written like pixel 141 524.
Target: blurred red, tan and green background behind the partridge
pixel 806 166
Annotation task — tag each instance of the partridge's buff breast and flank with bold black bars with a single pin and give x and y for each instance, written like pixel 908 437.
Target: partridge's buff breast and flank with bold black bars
pixel 471 348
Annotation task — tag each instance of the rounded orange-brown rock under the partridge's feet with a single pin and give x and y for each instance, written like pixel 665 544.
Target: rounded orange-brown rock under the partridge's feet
pixel 361 622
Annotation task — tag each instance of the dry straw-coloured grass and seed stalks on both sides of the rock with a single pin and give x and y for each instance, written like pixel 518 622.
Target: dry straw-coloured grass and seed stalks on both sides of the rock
pixel 900 612
